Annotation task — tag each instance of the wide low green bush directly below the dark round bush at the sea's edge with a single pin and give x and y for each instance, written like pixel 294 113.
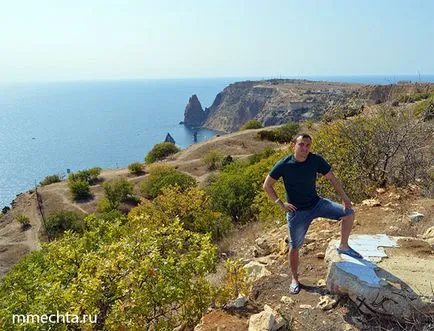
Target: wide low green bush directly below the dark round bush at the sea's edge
pixel 163 176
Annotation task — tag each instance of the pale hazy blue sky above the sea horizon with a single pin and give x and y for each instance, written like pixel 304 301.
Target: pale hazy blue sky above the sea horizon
pixel 104 39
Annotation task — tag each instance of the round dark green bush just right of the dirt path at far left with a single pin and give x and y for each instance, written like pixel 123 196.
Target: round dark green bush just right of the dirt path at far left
pixel 59 222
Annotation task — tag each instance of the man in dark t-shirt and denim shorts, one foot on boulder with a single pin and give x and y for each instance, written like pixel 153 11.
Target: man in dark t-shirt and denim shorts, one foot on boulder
pixel 303 204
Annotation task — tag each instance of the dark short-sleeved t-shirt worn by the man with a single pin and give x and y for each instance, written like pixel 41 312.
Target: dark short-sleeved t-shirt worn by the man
pixel 300 178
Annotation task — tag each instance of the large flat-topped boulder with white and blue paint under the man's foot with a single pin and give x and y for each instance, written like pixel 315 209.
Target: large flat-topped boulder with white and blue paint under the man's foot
pixel 395 284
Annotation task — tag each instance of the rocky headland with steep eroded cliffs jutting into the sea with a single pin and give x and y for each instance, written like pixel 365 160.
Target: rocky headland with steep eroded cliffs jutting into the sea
pixel 278 101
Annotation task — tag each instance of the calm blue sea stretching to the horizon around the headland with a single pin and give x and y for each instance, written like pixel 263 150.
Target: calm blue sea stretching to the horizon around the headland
pixel 55 127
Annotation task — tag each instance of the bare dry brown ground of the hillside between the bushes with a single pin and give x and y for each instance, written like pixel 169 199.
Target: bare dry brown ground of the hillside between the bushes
pixel 388 215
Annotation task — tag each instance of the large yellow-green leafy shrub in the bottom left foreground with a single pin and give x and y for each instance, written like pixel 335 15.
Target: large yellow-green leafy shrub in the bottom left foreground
pixel 130 277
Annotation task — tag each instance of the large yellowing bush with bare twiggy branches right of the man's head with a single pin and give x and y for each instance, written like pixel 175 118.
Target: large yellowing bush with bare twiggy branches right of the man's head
pixel 378 150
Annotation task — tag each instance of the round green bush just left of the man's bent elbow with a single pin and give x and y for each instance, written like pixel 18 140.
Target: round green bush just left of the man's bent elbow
pixel 233 194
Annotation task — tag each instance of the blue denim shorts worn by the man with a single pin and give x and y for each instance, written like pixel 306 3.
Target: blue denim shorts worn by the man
pixel 299 220
